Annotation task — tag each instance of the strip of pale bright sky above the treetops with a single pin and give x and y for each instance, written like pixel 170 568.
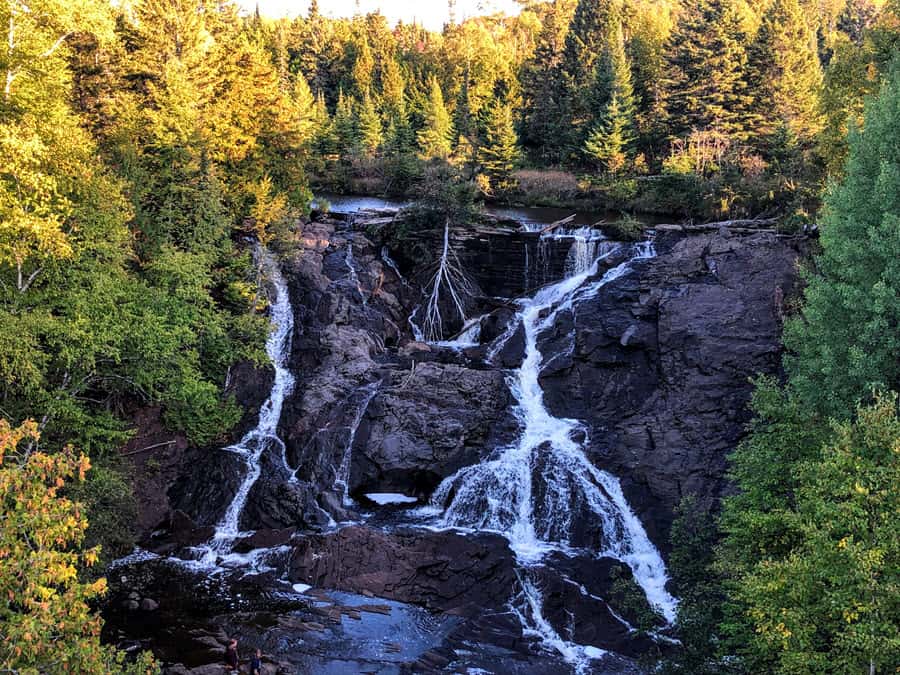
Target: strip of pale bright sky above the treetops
pixel 430 13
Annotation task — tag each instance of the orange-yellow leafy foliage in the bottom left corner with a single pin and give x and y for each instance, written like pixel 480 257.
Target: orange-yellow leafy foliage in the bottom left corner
pixel 46 624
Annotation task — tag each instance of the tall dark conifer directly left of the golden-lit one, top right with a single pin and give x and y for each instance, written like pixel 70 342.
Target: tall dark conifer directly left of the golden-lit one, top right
pixel 706 62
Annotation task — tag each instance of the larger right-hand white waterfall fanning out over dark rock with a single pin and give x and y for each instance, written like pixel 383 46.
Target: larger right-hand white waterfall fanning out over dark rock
pixel 534 490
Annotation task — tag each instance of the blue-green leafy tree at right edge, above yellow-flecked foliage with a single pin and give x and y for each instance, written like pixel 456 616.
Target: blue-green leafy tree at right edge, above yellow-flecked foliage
pixel 846 341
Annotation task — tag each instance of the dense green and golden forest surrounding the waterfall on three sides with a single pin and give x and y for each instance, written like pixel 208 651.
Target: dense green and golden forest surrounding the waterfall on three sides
pixel 146 145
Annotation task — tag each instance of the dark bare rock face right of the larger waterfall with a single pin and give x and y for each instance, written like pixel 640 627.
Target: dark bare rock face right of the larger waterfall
pixel 658 365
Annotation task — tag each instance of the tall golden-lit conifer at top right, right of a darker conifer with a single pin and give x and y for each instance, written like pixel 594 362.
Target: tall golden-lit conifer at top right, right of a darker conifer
pixel 784 73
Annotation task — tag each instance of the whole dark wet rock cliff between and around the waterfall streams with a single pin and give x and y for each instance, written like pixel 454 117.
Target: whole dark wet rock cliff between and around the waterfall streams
pixel 657 367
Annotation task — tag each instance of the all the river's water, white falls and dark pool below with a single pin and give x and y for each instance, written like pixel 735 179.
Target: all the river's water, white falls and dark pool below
pixel 524 491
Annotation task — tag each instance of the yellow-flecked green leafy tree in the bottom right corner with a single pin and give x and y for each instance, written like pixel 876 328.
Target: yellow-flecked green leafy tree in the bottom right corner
pixel 832 603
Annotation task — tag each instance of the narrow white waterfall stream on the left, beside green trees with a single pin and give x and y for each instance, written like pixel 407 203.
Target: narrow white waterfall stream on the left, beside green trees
pixel 264 436
